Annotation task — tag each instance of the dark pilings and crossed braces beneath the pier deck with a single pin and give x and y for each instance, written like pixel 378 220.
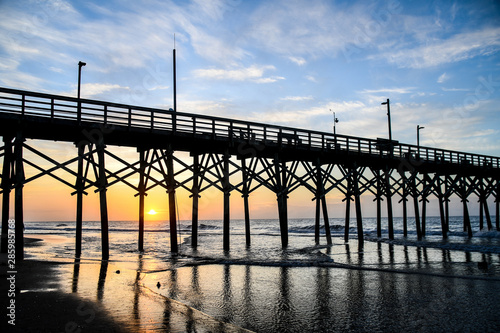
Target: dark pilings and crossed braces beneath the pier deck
pixel 279 174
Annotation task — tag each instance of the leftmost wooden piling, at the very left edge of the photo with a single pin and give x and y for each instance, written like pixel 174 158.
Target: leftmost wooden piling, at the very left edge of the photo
pixel 6 188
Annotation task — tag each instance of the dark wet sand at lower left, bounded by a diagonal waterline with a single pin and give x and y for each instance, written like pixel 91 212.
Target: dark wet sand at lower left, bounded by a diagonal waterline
pixel 51 298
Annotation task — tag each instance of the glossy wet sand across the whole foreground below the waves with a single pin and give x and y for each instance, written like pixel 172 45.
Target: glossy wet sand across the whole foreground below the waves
pixel 383 288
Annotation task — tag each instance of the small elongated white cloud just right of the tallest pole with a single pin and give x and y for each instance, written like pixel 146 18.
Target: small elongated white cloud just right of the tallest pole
pixel 253 73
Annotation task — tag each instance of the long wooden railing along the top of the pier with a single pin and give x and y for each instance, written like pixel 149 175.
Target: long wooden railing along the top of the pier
pixel 24 103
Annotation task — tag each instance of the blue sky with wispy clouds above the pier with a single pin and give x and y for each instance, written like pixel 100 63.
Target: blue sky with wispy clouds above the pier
pixel 288 62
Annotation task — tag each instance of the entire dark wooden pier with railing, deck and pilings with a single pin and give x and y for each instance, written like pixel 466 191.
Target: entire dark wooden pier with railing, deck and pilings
pixel 278 158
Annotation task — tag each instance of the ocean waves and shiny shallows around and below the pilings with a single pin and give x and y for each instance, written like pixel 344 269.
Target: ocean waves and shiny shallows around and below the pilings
pixel 428 285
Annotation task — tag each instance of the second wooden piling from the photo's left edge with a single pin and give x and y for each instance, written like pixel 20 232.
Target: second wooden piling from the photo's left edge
pixel 18 196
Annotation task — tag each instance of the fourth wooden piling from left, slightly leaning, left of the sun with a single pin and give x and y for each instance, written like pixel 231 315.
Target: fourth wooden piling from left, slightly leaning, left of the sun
pixel 102 181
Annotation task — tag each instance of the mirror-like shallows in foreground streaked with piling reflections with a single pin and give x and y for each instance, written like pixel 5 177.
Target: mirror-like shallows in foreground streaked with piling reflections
pixel 389 288
